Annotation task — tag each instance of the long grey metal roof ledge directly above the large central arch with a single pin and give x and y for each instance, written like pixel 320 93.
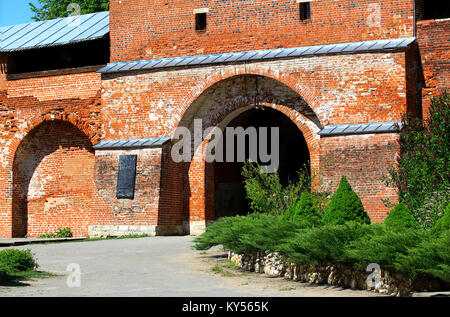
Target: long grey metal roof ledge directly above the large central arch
pixel 260 55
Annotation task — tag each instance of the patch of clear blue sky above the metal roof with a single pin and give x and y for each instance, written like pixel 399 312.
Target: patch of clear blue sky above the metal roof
pixel 15 11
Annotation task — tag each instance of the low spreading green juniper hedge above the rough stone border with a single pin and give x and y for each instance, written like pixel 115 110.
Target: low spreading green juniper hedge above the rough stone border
pixel 406 250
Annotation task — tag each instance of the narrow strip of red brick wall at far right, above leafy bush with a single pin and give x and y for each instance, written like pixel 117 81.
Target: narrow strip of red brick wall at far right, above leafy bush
pixel 434 46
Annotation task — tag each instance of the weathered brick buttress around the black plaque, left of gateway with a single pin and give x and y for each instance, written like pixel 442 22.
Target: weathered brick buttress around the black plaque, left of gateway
pixel 145 208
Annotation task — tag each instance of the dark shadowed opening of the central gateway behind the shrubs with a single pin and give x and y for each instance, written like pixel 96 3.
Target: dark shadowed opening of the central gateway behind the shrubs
pixel 293 155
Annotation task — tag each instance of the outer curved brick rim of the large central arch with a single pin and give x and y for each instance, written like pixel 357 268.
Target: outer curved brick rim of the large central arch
pixel 304 90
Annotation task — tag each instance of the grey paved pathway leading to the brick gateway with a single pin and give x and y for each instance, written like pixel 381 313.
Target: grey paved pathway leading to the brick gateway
pixel 161 266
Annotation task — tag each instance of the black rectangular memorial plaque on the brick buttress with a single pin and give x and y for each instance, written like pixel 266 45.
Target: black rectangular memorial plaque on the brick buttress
pixel 127 176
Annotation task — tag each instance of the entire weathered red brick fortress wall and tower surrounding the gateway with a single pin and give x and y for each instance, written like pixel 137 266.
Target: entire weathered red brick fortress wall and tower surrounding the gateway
pixel 52 176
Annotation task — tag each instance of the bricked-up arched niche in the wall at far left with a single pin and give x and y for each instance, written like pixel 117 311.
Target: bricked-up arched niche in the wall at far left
pixel 53 180
